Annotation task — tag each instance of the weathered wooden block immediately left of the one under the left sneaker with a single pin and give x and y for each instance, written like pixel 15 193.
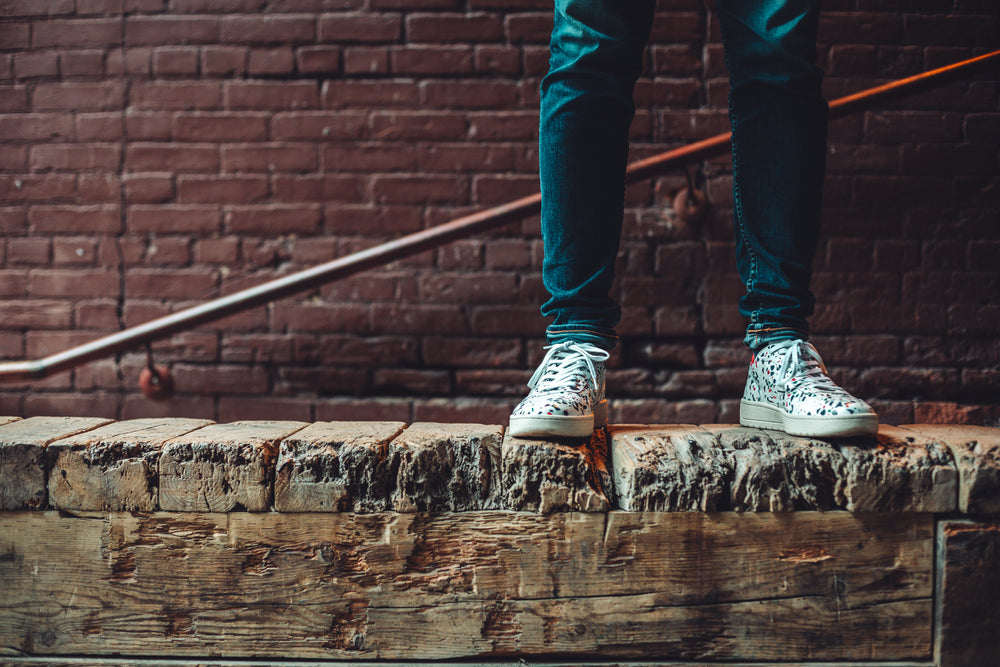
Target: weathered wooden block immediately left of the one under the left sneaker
pixel 444 467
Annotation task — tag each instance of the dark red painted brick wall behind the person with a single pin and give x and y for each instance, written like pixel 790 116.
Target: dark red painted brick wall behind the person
pixel 157 153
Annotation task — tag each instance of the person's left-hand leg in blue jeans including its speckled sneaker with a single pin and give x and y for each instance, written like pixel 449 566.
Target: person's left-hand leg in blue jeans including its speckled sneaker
pixel 586 109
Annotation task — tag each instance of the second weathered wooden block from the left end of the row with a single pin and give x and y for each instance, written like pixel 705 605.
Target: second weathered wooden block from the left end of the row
pixel 114 467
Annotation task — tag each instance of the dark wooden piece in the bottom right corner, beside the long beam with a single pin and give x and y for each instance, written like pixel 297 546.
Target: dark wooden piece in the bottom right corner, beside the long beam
pixel 968 615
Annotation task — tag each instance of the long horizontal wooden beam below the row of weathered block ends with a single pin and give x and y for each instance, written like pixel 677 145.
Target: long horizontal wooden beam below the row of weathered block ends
pixel 811 586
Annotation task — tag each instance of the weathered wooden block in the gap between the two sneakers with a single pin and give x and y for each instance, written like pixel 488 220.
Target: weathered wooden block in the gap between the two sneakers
pixel 669 468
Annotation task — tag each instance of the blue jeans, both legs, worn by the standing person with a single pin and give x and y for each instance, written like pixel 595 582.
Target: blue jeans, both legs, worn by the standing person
pixel 778 118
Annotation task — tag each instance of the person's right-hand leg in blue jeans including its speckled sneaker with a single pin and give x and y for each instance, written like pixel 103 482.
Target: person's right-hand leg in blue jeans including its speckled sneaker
pixel 779 118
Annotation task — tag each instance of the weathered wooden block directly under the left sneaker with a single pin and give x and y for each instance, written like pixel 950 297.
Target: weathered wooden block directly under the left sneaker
pixel 557 475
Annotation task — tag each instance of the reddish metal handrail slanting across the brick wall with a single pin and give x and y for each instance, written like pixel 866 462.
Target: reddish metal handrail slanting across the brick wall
pixel 411 244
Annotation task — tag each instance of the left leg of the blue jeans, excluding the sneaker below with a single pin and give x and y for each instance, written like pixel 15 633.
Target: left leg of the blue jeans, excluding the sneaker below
pixel 586 109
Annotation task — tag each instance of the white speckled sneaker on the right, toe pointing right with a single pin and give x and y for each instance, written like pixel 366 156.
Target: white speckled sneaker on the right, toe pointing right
pixel 788 389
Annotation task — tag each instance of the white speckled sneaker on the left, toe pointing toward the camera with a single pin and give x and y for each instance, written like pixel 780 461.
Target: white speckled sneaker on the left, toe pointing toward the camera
pixel 567 394
